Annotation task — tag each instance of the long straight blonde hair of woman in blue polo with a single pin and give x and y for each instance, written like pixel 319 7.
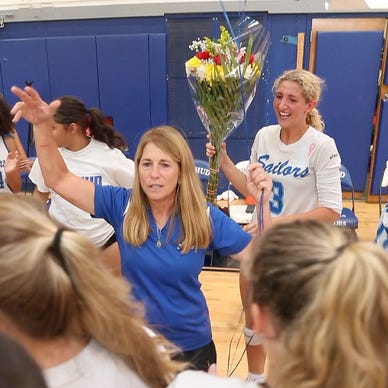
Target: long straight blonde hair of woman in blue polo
pixel 190 205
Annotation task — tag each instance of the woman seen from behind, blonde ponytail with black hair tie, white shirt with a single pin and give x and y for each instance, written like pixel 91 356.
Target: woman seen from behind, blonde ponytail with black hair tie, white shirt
pixel 73 316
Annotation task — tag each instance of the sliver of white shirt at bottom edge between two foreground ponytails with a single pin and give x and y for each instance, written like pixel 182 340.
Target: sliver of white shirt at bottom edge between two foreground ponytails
pixel 199 379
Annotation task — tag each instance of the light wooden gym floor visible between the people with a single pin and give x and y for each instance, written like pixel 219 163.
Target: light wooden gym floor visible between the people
pixel 223 298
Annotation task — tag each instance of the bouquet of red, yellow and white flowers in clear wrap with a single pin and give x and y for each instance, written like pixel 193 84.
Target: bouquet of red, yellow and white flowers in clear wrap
pixel 222 77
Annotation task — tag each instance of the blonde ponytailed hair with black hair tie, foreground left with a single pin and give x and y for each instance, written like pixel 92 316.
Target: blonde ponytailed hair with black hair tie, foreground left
pixel 50 290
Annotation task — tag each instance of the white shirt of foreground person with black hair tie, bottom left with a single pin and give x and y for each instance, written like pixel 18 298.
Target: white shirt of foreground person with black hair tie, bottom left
pixel 93 367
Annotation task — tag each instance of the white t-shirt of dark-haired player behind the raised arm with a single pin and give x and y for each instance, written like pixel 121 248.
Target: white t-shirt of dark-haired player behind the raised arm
pixel 99 164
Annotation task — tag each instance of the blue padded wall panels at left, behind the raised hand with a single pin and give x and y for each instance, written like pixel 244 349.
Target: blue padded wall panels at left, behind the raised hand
pixel 111 72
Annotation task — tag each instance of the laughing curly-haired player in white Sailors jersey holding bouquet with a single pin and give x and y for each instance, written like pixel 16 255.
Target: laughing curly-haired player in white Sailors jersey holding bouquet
pixel 303 163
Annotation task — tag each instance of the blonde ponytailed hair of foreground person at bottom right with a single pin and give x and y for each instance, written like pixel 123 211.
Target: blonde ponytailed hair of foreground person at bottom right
pixel 329 296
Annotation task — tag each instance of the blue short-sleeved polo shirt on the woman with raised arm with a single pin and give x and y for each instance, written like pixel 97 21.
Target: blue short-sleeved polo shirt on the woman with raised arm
pixel 165 279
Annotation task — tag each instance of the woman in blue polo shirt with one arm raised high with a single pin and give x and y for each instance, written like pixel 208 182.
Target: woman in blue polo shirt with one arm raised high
pixel 163 225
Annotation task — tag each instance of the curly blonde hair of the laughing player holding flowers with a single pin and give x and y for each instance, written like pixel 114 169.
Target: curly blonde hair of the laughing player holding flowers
pixel 311 86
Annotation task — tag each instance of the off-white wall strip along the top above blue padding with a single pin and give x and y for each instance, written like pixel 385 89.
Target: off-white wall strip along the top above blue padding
pixel 29 10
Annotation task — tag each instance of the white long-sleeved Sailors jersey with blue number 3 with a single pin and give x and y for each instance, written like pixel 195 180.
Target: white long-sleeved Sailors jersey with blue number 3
pixel 305 174
